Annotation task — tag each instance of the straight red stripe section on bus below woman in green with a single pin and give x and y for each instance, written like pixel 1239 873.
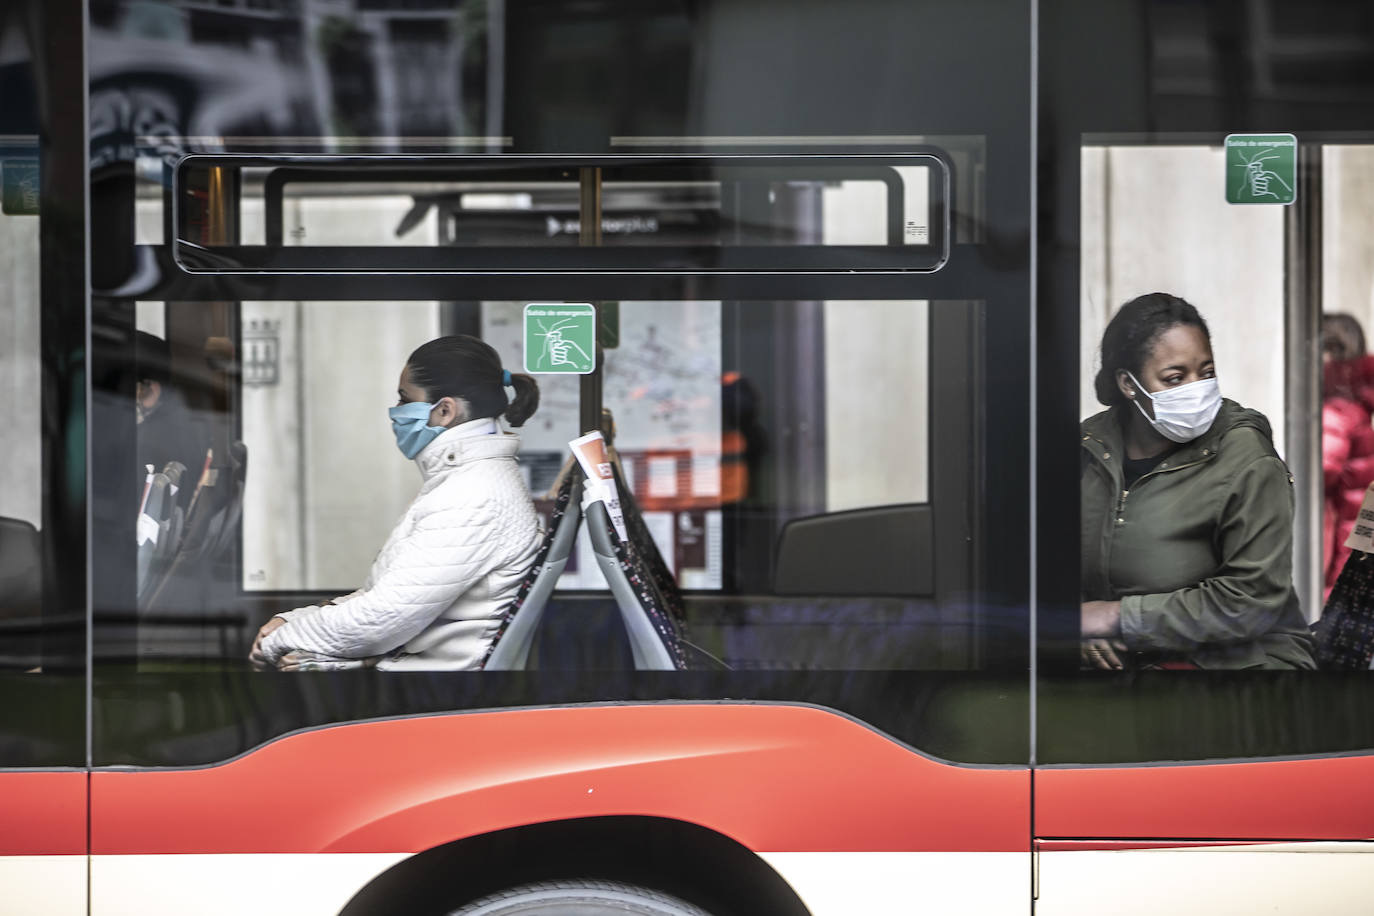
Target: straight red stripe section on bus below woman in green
pixel 1322 799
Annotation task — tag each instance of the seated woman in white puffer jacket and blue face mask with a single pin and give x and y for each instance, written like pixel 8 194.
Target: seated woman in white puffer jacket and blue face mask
pixel 436 591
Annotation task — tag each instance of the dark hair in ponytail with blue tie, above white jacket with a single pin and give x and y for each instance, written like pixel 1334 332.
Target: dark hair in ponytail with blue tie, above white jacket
pixel 465 367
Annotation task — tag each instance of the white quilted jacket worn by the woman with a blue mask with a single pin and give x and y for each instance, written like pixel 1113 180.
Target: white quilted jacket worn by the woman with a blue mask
pixel 447 571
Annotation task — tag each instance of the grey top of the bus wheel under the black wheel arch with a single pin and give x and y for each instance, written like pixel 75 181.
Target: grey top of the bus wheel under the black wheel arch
pixel 579 899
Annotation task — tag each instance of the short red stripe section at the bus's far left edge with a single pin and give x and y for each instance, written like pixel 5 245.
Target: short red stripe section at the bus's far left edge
pixel 43 814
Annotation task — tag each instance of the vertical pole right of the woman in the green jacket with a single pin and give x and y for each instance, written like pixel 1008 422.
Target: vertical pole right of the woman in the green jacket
pixel 1303 391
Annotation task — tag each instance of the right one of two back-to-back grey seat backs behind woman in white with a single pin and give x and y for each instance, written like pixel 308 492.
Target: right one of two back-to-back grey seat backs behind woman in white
pixel 655 639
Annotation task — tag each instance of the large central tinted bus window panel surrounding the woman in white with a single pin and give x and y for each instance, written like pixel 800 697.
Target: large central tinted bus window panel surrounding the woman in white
pixel 814 329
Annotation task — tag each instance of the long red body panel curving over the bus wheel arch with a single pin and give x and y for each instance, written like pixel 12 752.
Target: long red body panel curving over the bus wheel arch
pixel 774 778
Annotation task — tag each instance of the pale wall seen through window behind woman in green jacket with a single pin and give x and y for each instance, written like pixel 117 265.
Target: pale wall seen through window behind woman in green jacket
pixel 1156 219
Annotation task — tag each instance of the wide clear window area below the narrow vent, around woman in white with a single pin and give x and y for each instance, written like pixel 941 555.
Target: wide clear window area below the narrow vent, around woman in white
pixel 737 428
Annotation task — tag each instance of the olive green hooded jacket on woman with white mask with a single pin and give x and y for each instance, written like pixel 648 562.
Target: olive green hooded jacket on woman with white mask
pixel 1199 551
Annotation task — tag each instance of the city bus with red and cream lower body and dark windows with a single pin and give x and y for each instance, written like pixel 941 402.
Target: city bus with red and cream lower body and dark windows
pixel 825 281
